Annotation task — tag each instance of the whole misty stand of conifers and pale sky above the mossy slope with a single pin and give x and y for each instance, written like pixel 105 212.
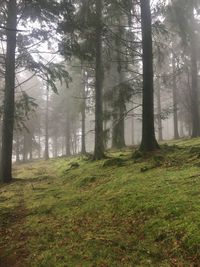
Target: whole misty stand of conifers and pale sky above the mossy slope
pixel 76 76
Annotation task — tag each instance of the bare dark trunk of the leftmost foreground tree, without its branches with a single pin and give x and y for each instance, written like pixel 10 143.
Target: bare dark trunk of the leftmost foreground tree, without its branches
pixel 9 97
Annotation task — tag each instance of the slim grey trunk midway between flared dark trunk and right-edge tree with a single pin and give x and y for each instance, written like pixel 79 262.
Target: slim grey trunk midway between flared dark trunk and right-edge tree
pixel 175 105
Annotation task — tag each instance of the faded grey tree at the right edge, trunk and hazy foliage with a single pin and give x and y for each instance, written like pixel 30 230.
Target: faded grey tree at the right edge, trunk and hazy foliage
pixel 182 15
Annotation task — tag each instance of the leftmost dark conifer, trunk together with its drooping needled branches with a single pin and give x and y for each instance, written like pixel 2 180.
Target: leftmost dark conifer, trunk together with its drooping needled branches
pixel 40 11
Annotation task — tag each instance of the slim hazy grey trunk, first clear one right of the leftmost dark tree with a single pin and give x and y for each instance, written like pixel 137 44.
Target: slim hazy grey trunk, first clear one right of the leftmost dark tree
pixel 46 149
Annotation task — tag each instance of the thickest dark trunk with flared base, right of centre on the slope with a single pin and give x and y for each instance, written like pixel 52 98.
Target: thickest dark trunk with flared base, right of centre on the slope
pixel 149 142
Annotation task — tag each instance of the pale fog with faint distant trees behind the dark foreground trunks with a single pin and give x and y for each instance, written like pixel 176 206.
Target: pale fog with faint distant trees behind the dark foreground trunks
pixel 55 82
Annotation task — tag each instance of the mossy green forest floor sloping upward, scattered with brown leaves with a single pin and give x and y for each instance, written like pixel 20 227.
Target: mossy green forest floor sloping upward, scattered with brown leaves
pixel 121 211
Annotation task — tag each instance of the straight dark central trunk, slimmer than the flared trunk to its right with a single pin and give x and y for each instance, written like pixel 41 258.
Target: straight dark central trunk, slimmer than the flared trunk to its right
pixel 99 146
